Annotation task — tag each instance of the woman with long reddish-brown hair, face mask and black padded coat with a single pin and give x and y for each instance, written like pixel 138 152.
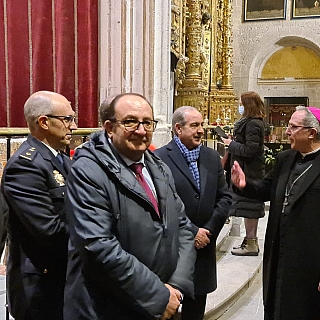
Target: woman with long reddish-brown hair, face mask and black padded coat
pixel 247 148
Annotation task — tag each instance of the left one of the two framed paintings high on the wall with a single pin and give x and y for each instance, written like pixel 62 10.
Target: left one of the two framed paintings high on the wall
pixel 264 9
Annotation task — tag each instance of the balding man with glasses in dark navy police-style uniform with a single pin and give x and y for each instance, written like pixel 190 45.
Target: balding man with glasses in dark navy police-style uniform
pixel 33 184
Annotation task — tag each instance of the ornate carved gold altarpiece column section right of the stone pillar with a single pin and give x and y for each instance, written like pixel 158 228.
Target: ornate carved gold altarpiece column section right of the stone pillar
pixel 201 40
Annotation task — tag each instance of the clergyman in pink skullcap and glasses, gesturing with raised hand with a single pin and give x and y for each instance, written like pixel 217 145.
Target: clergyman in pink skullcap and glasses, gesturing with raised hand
pixel 291 262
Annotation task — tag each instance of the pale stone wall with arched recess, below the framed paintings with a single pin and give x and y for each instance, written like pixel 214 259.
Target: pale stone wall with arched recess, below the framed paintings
pixel 254 42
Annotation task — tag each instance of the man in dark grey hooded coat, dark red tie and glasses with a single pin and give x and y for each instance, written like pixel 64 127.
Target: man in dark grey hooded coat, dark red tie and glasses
pixel 132 254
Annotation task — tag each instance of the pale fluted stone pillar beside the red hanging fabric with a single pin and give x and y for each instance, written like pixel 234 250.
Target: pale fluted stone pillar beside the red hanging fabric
pixel 135 54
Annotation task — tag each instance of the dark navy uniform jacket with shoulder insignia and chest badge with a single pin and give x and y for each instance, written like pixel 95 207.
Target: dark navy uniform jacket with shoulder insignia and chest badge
pixel 33 184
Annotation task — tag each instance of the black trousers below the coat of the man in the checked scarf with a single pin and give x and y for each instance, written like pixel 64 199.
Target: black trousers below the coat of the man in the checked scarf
pixel 193 309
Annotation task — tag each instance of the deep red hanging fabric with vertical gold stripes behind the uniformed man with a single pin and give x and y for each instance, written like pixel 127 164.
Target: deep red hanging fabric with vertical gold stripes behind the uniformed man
pixel 49 45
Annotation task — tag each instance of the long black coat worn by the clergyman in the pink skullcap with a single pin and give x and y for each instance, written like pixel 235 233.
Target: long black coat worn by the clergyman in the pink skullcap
pixel 293 238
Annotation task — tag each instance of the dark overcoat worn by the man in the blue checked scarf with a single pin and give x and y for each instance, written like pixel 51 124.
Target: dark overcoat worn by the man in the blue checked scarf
pixel 207 208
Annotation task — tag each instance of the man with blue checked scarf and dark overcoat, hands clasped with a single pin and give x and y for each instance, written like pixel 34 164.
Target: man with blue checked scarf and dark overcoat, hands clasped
pixel 201 184
